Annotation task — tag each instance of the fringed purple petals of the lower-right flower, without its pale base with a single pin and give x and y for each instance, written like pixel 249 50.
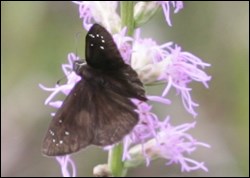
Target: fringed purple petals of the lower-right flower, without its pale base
pixel 173 142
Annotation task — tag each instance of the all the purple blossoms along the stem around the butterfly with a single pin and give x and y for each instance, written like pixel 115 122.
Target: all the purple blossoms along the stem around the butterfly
pixel 166 63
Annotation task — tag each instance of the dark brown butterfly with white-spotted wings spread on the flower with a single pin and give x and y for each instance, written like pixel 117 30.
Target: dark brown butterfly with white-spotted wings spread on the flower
pixel 99 109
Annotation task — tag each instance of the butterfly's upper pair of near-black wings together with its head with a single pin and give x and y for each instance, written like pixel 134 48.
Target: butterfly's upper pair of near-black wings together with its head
pixel 103 55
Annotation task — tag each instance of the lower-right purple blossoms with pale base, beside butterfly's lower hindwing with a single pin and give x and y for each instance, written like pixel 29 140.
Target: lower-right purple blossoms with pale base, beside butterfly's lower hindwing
pixel 152 138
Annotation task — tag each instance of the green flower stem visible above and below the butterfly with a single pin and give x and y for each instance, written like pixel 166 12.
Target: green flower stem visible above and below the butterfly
pixel 115 163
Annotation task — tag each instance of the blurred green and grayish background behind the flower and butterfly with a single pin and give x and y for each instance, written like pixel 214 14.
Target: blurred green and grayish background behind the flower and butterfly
pixel 35 40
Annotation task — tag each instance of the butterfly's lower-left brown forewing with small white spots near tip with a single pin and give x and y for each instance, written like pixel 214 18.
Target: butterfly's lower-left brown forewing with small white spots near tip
pixel 71 128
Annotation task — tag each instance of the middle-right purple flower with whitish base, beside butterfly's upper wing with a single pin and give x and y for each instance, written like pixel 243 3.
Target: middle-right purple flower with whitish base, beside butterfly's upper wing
pixel 167 63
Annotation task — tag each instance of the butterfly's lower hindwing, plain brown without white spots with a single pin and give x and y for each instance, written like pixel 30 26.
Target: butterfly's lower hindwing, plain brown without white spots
pixel 114 117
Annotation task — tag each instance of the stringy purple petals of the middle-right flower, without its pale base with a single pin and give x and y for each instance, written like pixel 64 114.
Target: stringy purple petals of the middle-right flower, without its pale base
pixel 183 68
